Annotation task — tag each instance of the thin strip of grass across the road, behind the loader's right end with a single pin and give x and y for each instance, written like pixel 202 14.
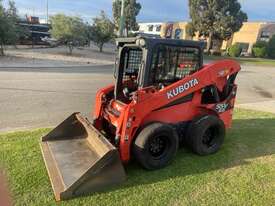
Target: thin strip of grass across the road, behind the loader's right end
pixel 245 60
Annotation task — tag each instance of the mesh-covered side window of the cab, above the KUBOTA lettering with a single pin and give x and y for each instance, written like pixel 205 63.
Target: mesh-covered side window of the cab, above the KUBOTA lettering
pixel 171 63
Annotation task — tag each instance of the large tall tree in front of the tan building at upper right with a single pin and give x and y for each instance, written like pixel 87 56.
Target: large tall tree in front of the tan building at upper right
pixel 216 19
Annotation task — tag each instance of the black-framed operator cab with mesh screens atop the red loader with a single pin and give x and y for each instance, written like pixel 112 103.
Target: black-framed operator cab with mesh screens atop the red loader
pixel 150 62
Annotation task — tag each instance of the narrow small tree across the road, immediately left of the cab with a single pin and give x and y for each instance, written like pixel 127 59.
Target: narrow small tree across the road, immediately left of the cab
pixel 102 30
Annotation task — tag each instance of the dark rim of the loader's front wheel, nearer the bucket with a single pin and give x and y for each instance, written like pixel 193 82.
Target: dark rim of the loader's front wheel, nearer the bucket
pixel 158 146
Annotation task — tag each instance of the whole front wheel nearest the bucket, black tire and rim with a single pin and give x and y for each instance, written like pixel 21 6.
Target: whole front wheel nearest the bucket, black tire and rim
pixel 155 146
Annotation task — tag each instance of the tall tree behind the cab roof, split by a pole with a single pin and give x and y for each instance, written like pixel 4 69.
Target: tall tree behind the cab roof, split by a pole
pixel 131 10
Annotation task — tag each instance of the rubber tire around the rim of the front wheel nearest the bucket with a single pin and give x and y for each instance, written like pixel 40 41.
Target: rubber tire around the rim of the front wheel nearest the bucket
pixel 141 146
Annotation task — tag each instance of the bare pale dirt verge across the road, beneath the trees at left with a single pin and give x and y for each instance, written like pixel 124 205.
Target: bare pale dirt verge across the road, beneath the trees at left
pixel 24 56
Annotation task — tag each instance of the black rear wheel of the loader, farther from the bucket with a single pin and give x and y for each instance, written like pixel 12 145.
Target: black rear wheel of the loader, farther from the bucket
pixel 206 134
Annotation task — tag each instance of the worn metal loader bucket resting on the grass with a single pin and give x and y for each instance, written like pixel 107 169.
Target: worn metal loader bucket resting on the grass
pixel 79 159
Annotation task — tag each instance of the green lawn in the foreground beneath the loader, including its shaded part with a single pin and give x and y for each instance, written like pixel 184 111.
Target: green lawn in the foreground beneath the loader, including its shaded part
pixel 241 173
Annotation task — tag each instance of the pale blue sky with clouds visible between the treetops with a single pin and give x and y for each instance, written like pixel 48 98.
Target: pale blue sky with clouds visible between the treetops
pixel 152 10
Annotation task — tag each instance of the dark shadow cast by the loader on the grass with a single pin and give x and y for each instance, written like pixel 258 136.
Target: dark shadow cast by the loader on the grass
pixel 248 139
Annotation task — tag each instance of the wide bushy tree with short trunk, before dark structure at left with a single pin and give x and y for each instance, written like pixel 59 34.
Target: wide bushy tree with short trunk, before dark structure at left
pixel 68 30
